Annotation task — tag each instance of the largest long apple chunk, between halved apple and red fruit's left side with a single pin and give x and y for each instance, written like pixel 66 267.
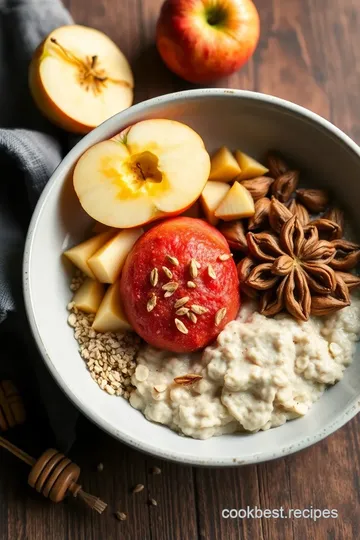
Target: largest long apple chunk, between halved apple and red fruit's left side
pixel 107 263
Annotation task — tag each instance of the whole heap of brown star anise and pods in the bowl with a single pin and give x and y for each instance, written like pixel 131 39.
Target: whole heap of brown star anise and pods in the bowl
pixel 296 258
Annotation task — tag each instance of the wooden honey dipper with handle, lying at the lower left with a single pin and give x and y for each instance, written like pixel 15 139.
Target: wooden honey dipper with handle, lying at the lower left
pixel 55 476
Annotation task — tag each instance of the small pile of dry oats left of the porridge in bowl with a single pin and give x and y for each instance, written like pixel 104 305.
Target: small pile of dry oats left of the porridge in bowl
pixel 109 357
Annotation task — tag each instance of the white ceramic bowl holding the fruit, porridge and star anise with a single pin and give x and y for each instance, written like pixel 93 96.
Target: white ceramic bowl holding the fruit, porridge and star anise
pixel 246 120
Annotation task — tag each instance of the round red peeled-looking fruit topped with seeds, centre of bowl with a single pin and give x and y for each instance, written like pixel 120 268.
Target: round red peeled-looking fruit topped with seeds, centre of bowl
pixel 184 238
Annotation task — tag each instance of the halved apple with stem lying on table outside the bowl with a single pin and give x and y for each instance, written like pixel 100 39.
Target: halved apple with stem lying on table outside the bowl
pixel 78 78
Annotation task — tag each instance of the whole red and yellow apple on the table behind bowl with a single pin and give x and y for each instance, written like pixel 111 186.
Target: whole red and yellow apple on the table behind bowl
pixel 199 52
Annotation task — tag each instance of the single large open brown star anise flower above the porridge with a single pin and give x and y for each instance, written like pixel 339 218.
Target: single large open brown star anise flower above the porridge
pixel 292 267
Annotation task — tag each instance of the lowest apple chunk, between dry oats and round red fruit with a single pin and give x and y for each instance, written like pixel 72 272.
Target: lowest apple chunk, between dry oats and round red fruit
pixel 110 316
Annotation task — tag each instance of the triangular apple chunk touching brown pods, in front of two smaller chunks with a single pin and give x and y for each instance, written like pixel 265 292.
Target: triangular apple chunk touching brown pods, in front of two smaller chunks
pixel 237 204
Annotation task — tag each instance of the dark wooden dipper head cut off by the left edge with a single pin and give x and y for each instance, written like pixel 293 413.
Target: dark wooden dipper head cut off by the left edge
pixel 12 410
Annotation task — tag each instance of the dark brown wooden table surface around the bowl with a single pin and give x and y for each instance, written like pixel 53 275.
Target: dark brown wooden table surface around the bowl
pixel 309 53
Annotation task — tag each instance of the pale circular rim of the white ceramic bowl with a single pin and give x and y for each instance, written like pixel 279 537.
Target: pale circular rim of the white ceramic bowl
pixel 353 406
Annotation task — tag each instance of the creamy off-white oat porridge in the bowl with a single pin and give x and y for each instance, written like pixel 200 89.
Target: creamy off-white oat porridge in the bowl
pixel 260 373
